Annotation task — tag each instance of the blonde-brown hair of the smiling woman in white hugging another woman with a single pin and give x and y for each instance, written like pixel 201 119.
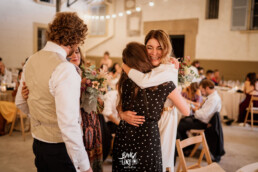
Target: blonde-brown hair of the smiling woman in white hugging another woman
pixel 164 41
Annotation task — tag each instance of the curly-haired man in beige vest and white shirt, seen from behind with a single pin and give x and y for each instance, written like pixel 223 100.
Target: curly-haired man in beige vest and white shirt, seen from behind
pixel 54 95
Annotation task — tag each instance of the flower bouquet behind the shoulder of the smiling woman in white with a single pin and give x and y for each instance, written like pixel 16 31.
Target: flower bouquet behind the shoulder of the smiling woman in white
pixel 186 74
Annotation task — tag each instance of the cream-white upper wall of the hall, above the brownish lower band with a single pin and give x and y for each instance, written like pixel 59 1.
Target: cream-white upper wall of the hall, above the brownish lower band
pixel 214 40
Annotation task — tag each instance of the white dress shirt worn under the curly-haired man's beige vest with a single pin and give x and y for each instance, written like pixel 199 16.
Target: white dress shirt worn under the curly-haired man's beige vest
pixel 64 85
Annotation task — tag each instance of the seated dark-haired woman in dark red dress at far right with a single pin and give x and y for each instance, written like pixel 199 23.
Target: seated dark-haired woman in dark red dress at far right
pixel 249 89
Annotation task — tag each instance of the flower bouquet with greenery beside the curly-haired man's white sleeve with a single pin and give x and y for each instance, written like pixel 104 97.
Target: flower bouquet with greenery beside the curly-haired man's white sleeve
pixel 94 84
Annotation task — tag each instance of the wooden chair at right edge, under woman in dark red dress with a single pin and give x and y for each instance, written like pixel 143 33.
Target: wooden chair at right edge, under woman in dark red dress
pixel 253 110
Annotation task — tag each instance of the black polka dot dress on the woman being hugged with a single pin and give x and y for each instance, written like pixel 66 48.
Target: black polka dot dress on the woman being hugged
pixel 138 148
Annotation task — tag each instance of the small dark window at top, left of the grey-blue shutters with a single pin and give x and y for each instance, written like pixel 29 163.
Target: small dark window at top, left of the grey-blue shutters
pixel 212 9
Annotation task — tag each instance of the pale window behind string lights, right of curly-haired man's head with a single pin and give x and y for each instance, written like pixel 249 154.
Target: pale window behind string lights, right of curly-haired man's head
pixel 98 25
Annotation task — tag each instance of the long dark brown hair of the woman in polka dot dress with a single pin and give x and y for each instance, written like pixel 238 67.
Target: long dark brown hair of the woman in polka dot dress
pixel 135 56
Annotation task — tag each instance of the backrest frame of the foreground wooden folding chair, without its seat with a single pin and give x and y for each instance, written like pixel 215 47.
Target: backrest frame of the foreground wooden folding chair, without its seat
pixel 190 141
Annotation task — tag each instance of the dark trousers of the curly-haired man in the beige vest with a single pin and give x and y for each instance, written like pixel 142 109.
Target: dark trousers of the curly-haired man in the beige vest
pixel 51 157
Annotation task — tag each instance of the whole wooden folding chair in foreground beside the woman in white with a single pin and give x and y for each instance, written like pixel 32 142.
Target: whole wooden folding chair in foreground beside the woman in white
pixel 211 167
